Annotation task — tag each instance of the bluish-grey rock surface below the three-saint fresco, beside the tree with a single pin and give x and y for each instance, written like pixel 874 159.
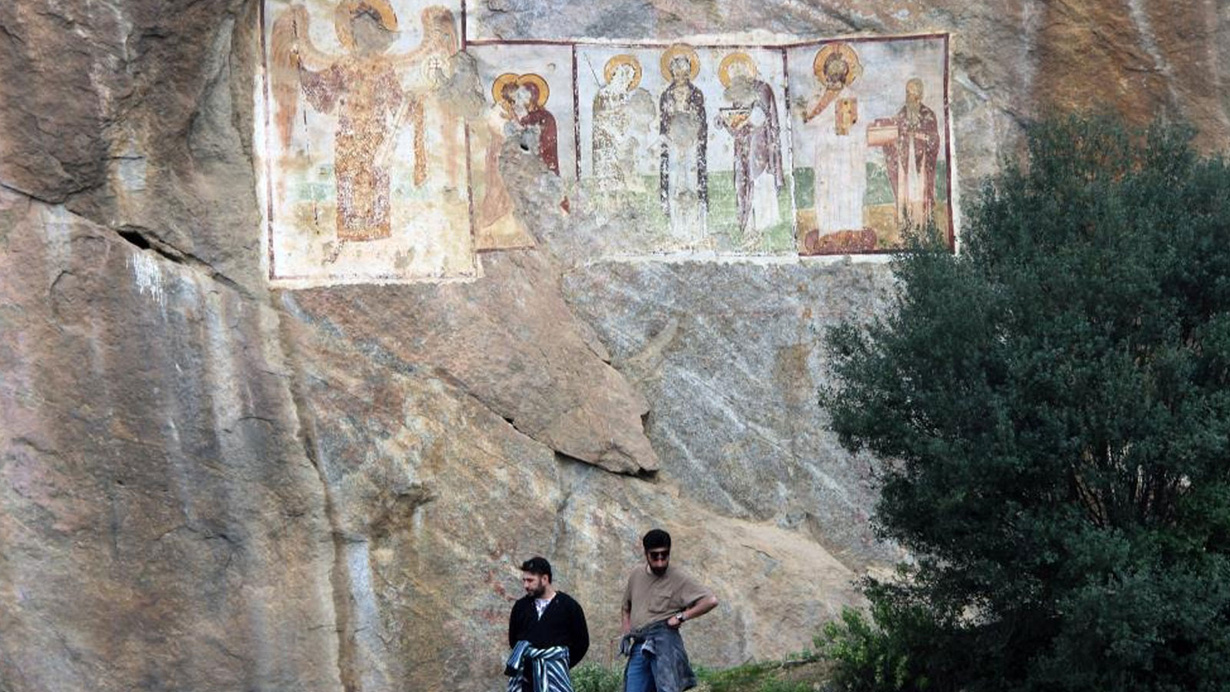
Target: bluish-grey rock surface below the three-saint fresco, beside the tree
pixel 731 358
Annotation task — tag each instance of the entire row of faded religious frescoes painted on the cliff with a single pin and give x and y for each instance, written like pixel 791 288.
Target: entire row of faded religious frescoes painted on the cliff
pixel 398 153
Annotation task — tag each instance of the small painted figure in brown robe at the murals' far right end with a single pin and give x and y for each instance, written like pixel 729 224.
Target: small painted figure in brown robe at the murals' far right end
pixel 911 157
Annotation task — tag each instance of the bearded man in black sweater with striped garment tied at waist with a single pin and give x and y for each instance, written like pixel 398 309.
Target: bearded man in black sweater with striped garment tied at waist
pixel 547 632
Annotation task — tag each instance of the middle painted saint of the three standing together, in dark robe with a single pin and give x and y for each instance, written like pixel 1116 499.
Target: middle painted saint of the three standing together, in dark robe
pixel 684 132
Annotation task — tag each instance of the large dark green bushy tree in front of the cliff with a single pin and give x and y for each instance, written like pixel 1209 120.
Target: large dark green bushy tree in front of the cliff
pixel 1053 405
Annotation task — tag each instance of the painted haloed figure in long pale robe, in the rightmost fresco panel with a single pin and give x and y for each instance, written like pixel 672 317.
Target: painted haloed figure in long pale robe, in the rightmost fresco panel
pixel 839 140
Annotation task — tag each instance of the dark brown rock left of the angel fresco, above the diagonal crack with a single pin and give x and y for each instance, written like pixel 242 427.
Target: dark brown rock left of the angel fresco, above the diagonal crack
pixel 129 114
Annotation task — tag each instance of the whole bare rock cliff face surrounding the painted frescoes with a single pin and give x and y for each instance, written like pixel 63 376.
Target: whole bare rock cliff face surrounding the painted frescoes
pixel 210 485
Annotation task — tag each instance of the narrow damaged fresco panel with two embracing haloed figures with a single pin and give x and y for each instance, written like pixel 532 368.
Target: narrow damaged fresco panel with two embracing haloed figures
pixel 525 133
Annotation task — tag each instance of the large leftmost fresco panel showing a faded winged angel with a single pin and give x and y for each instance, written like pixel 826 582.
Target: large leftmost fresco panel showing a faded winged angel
pixel 363 143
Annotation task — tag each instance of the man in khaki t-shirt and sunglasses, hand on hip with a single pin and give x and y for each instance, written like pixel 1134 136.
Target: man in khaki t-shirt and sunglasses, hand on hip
pixel 657 602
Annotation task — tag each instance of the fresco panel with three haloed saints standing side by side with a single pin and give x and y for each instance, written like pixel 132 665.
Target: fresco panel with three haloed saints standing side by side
pixel 691 137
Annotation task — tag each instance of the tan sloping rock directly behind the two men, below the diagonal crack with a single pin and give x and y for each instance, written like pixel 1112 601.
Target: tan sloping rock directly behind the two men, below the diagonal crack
pixel 436 501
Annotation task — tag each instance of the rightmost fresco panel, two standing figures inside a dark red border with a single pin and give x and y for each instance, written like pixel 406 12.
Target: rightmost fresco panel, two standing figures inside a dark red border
pixel 869 124
